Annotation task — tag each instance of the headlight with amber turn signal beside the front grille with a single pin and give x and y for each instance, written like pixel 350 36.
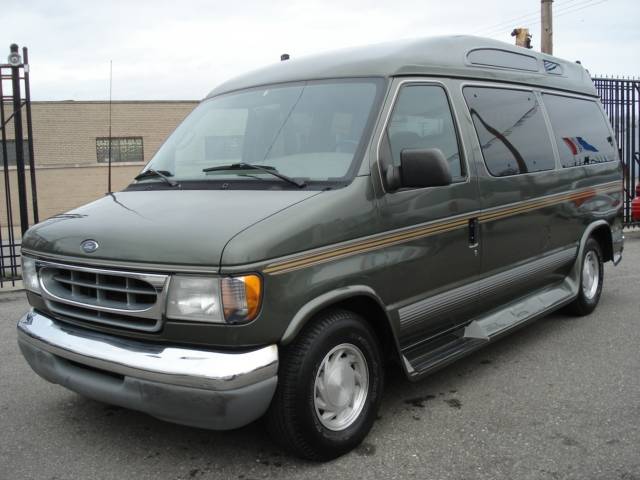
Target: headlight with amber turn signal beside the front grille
pixel 215 300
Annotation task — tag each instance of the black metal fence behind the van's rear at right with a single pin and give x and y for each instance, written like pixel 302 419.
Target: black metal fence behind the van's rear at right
pixel 621 100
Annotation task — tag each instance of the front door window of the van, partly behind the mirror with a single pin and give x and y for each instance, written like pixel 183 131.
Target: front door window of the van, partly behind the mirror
pixel 422 119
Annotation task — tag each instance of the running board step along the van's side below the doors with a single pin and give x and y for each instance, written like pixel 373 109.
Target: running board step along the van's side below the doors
pixel 425 358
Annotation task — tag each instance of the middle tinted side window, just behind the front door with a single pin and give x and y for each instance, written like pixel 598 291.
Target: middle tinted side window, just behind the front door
pixel 511 130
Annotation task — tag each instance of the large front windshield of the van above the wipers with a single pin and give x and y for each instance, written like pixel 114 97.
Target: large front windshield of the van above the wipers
pixel 310 131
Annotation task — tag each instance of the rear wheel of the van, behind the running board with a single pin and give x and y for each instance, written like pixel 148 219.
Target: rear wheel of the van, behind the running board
pixel 591 280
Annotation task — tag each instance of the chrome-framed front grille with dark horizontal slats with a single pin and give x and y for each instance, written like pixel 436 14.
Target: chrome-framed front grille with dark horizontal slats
pixel 86 294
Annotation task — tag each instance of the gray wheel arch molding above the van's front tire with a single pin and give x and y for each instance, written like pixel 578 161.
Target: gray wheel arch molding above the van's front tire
pixel 324 300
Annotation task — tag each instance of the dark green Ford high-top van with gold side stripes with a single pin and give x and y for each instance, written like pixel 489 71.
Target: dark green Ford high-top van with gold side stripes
pixel 313 220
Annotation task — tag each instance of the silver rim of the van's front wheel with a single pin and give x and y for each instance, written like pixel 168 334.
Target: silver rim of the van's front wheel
pixel 341 386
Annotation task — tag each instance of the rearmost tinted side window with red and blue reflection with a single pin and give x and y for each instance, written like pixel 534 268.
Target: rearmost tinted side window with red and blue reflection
pixel 581 131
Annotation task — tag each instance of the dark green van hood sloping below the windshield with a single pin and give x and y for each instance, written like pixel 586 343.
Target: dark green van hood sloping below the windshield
pixel 181 227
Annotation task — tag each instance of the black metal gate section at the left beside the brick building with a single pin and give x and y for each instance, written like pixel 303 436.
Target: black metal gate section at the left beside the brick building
pixel 16 150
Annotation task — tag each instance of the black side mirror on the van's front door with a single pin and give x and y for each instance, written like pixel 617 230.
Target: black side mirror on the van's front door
pixel 419 168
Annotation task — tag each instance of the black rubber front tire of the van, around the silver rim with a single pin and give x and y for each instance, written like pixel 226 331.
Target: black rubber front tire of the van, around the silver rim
pixel 292 420
